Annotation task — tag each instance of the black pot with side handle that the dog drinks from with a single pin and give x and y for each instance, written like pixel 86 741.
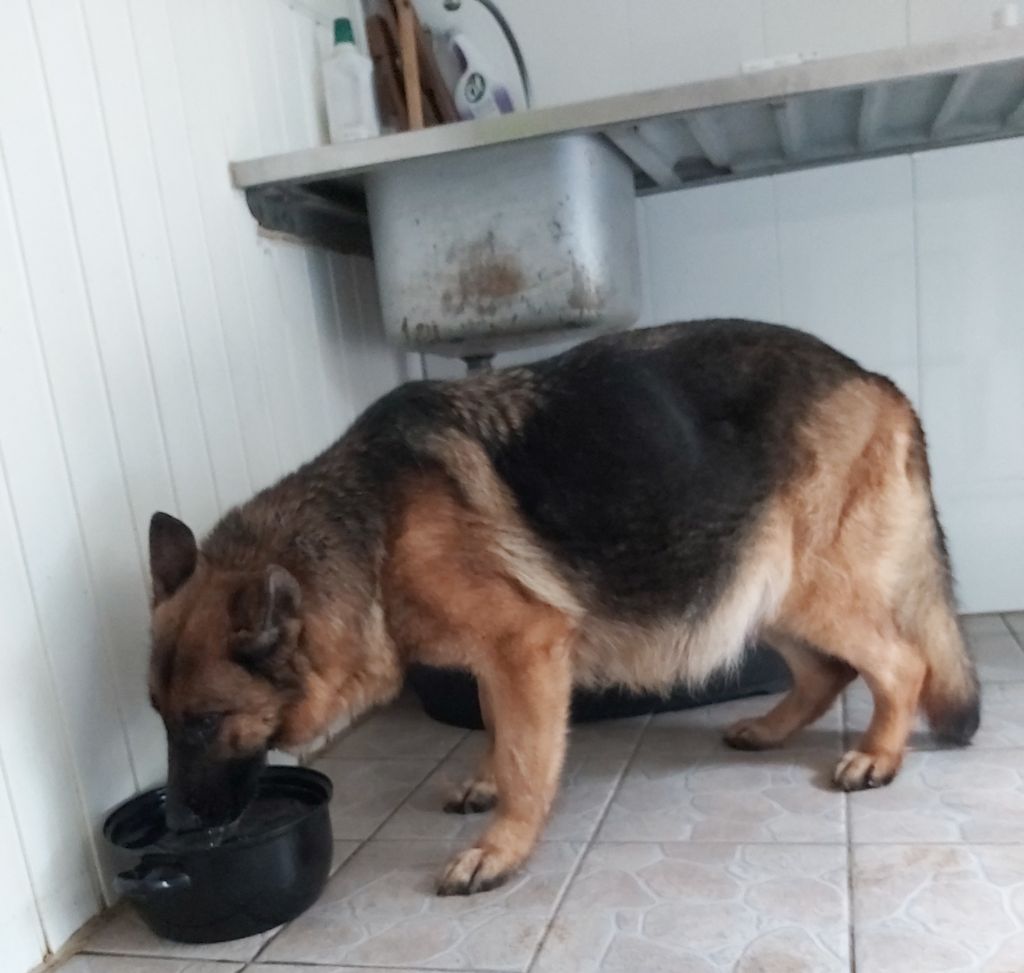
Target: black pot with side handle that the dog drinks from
pixel 236 884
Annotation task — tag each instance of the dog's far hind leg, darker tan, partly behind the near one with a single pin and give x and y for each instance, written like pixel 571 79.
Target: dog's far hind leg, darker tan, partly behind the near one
pixel 818 682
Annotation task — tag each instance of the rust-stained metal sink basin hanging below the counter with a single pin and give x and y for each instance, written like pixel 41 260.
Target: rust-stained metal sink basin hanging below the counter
pixel 504 247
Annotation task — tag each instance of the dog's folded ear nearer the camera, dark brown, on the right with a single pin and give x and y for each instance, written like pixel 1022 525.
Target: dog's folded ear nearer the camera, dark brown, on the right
pixel 266 620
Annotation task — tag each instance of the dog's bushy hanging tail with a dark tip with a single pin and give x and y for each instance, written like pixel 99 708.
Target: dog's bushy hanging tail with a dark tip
pixel 952 696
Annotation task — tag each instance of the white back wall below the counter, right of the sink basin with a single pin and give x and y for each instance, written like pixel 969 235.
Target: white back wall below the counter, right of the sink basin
pixel 911 265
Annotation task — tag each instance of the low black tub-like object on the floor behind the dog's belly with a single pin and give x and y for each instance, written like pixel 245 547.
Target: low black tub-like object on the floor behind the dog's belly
pixel 449 696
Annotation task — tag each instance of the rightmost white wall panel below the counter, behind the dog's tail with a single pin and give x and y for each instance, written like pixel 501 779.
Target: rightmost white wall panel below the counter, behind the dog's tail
pixel 970 210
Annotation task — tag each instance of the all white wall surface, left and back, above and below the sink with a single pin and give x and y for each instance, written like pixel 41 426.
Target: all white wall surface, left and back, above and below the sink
pixel 157 353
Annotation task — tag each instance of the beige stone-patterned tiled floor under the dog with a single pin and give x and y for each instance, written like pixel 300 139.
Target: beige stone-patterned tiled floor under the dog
pixel 667 853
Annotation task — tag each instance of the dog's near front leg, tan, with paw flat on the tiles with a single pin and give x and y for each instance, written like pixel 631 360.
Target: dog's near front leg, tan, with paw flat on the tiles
pixel 528 688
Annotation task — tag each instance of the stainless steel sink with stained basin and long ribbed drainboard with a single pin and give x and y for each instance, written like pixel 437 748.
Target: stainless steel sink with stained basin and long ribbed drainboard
pixel 518 230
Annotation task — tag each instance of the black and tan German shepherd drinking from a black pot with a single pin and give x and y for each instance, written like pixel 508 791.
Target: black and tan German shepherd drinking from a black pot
pixel 633 513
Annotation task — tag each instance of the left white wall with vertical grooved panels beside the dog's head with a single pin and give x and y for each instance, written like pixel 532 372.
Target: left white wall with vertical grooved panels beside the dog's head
pixel 156 353
